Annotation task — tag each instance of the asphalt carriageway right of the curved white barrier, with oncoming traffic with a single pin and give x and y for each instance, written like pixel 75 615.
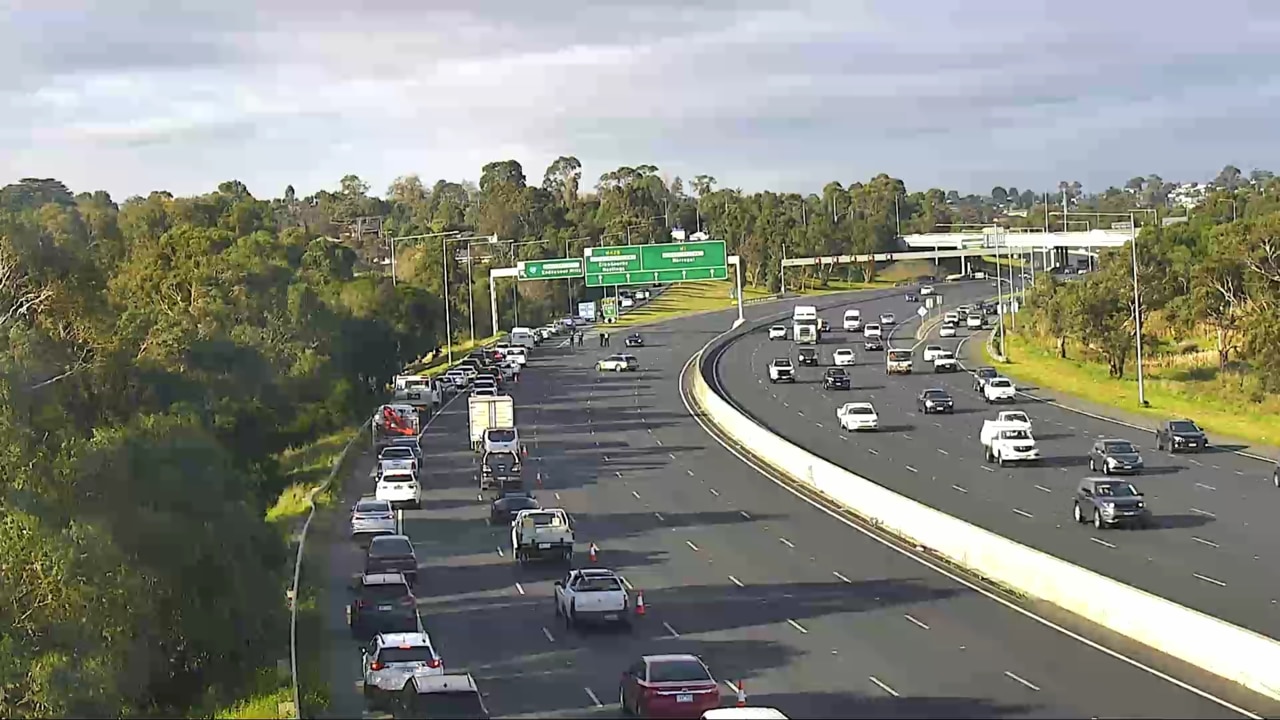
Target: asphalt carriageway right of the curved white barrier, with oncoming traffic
pixel 1212 549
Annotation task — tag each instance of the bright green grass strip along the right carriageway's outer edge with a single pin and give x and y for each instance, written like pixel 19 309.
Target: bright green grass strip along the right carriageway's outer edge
pixel 1212 403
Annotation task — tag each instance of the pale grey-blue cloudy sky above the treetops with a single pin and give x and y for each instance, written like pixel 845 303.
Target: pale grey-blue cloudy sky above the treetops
pixel 134 95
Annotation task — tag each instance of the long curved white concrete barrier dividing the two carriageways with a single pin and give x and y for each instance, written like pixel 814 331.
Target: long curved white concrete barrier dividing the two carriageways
pixel 1217 646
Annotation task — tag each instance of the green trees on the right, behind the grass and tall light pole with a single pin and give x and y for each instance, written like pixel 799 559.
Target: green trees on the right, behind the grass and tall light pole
pixel 1213 279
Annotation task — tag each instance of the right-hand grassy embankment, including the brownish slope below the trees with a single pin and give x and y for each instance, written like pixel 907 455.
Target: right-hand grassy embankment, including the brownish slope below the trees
pixel 1182 380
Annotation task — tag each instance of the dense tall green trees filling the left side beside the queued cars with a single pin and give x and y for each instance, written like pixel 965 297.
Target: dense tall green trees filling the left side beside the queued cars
pixel 156 359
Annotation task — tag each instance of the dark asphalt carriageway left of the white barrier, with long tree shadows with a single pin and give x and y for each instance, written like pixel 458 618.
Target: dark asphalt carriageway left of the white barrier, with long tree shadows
pixel 817 618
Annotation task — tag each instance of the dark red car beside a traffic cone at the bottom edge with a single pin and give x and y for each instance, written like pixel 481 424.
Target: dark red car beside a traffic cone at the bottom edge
pixel 669 686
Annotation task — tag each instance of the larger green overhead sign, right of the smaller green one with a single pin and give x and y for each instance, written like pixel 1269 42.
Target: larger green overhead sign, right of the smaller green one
pixel 673 262
